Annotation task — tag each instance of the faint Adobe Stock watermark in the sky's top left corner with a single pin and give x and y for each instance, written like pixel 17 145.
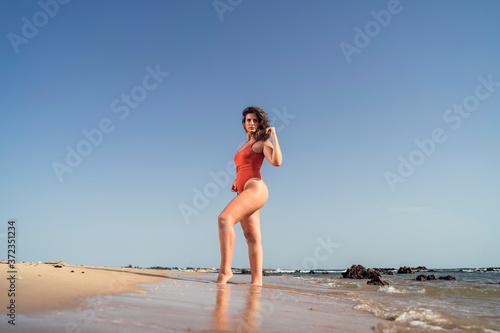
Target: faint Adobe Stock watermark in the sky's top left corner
pixel 29 30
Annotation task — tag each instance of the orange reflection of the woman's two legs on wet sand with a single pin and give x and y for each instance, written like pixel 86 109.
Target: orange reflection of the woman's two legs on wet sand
pixel 250 319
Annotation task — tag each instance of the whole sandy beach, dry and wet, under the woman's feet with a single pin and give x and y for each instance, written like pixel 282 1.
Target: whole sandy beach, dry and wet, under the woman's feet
pixel 106 299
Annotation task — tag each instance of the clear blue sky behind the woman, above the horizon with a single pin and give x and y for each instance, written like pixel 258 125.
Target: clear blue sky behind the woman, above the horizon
pixel 390 149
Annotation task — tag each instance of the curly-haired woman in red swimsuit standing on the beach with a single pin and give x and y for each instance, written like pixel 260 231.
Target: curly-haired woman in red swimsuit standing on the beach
pixel 252 193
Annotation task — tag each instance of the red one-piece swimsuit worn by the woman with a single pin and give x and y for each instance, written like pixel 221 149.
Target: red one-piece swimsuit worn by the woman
pixel 248 165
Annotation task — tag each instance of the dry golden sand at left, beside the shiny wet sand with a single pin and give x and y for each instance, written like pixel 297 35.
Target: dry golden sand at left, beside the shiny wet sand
pixel 41 287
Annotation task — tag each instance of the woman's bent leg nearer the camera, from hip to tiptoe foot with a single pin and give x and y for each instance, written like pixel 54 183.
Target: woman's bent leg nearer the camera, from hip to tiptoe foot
pixel 246 203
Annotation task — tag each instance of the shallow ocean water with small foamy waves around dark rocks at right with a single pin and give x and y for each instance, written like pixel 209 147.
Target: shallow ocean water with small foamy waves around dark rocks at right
pixel 471 303
